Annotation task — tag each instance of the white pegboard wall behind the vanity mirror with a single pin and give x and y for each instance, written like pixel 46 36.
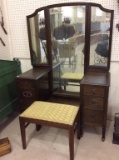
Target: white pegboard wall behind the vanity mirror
pixel 15 12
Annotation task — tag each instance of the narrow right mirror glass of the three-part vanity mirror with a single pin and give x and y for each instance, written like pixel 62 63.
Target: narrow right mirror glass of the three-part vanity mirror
pixel 99 44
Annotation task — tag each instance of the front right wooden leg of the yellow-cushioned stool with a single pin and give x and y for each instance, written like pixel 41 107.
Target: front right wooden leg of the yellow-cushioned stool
pixel 71 142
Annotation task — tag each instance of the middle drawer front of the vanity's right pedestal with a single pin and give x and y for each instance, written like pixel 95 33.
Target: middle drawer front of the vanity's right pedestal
pixel 93 102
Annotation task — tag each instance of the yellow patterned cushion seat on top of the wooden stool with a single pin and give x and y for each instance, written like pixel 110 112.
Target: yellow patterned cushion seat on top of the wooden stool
pixel 52 112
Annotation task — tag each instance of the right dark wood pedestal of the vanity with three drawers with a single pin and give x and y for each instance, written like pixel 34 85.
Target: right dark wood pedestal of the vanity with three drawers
pixel 94 99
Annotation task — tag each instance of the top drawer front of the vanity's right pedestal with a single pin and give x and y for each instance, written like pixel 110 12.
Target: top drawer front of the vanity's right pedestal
pixel 94 90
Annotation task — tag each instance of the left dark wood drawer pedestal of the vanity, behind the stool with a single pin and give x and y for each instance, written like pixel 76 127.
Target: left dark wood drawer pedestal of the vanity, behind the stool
pixel 33 85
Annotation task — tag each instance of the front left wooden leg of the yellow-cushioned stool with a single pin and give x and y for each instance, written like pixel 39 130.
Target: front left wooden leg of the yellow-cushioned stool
pixel 23 134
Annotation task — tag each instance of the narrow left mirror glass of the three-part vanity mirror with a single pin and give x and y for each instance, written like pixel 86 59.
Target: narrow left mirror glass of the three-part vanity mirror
pixel 37 33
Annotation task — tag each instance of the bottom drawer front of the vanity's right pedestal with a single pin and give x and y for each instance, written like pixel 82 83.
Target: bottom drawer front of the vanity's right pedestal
pixel 93 116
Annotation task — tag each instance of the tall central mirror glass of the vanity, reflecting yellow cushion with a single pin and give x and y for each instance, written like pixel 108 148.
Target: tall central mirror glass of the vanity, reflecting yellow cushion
pixel 67 34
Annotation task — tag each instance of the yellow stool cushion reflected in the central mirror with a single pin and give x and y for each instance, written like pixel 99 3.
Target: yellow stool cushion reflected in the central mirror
pixel 72 76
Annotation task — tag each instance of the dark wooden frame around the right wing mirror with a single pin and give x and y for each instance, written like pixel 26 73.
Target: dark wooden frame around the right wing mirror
pixel 98 68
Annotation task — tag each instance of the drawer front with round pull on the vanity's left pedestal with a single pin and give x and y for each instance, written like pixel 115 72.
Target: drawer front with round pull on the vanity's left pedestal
pixel 28 93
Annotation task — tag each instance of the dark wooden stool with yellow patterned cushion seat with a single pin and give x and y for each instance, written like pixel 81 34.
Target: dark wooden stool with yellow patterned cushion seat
pixel 54 115
